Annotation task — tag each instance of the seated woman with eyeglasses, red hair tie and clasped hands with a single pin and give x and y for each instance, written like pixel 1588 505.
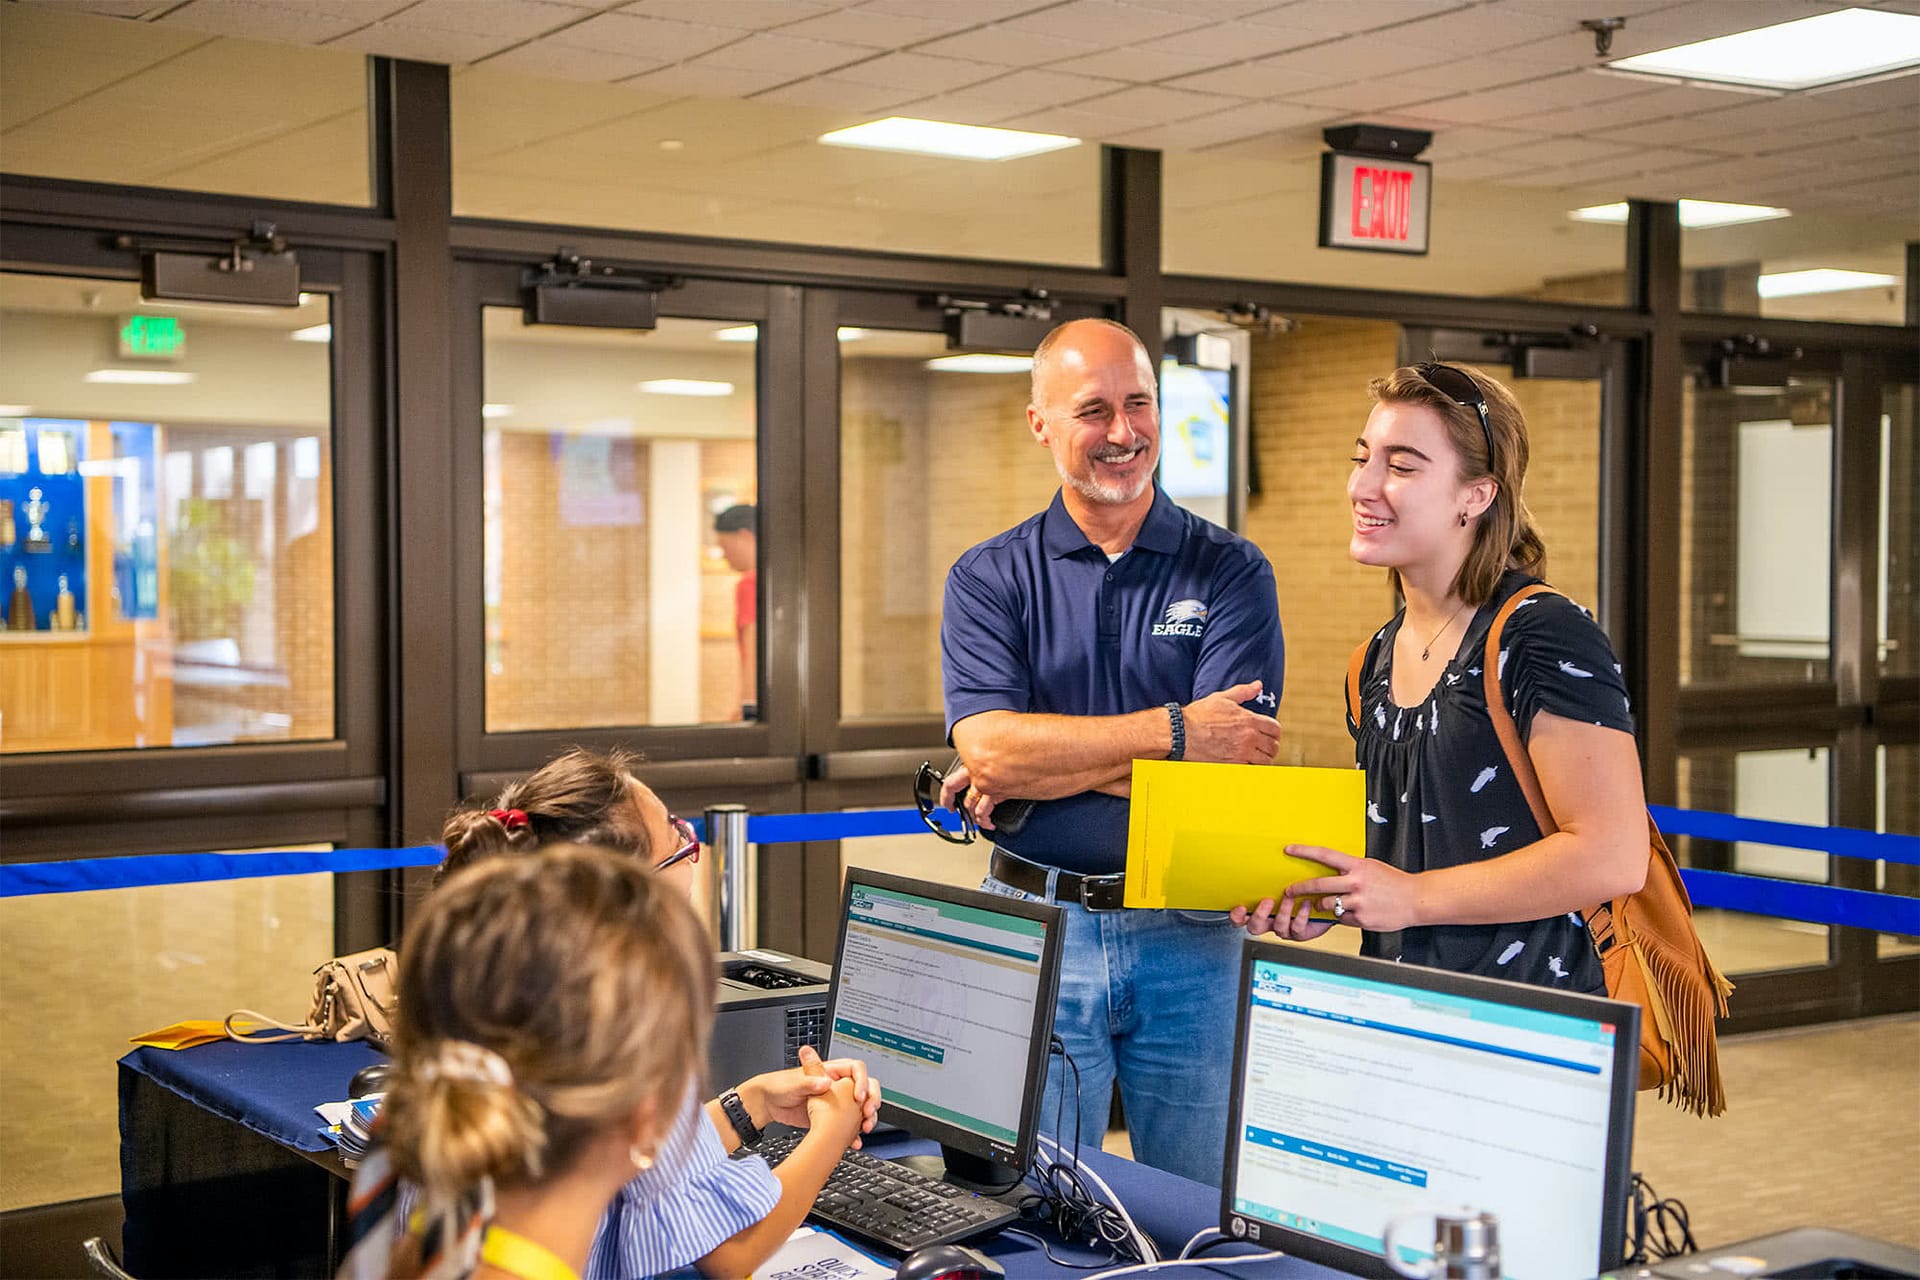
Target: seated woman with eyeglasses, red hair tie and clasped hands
pixel 694 1206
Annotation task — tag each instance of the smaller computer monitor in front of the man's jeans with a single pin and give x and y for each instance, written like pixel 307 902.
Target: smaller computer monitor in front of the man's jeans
pixel 949 997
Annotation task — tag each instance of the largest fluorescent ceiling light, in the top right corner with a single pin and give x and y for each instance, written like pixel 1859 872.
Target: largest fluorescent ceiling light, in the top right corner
pixel 1802 55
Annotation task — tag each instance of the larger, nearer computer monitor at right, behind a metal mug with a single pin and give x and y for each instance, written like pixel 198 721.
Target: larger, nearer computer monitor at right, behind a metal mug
pixel 1368 1093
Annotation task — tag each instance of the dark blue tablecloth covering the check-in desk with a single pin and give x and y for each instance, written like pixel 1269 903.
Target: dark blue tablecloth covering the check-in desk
pixel 226 1172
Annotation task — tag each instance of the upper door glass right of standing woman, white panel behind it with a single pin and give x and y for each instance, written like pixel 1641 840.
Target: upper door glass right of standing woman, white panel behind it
pixel 1756 533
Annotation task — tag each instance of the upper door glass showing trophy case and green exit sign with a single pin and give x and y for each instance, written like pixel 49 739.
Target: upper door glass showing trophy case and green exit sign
pixel 168 546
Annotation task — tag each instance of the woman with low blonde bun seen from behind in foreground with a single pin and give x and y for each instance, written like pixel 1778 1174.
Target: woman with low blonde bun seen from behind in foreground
pixel 554 1010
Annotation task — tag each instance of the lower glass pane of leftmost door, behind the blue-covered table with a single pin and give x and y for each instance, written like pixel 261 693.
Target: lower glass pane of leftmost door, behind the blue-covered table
pixel 80 974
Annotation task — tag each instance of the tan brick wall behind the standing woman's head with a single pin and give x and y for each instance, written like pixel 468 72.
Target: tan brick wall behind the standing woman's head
pixel 1308 404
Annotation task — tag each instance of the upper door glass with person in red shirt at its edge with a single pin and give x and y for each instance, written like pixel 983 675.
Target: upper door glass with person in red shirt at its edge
pixel 608 462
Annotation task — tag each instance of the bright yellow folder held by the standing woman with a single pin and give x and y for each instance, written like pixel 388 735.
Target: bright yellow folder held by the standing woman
pixel 1207 838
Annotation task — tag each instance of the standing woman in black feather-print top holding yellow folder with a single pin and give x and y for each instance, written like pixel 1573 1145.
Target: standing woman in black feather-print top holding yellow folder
pixel 1458 874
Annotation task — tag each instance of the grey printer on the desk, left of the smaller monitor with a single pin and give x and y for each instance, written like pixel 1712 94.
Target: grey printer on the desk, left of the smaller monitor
pixel 771 1005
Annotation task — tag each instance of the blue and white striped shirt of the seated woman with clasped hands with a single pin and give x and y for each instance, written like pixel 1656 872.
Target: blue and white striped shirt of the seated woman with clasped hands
pixel 686 1206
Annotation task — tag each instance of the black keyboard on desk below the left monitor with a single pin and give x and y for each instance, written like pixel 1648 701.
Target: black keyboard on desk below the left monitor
pixel 892 1206
